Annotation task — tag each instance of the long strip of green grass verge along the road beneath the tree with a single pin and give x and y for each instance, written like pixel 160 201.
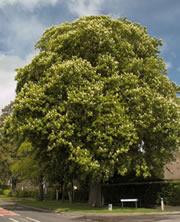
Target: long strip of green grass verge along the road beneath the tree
pixel 58 206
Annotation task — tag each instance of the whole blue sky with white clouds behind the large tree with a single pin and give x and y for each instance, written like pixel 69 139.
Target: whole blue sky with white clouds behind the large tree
pixel 22 22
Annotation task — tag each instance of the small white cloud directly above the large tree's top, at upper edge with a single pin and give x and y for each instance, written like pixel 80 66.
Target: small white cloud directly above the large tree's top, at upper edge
pixel 85 7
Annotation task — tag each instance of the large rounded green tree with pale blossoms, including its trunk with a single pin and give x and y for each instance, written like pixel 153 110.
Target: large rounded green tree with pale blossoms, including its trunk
pixel 97 99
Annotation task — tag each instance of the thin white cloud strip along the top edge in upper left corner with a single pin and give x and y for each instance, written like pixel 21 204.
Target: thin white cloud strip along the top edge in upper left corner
pixel 28 4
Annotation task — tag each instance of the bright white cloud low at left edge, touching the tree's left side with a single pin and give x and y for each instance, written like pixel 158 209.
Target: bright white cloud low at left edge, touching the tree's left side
pixel 8 64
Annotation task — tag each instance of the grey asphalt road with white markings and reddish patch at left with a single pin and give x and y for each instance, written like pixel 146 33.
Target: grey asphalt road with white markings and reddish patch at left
pixel 12 213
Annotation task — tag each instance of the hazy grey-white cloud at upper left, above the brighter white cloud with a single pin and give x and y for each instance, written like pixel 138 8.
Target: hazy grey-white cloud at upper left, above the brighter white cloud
pixel 22 34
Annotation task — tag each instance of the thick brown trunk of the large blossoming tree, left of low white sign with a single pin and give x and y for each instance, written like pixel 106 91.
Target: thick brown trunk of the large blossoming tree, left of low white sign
pixel 95 195
